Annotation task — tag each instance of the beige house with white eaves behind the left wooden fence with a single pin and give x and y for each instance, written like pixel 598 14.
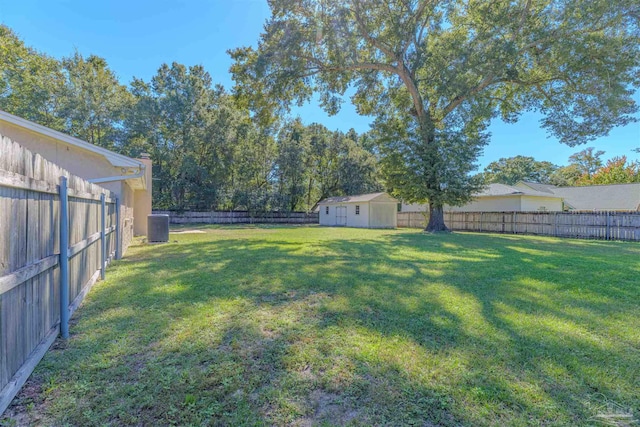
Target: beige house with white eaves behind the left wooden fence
pixel 129 178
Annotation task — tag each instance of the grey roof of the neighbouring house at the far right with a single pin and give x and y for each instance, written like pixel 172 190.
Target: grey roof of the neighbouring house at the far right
pixel 613 197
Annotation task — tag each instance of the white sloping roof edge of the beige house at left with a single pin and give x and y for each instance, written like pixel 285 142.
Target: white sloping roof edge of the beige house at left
pixel 117 160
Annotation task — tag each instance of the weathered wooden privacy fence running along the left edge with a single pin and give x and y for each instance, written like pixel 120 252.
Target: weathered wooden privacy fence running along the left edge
pixel 57 234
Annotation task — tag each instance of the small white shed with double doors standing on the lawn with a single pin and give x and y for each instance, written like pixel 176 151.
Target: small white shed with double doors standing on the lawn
pixel 377 210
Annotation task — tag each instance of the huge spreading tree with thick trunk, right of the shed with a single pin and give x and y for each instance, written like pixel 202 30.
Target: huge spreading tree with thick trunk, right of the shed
pixel 435 73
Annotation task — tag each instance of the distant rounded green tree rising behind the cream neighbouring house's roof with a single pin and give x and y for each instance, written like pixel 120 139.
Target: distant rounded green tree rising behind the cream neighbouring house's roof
pixel 519 168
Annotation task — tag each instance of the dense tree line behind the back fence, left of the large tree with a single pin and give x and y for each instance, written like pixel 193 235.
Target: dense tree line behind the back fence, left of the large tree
pixel 208 150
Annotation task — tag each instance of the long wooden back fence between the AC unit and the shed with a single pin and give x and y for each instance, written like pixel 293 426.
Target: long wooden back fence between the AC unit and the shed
pixel 240 217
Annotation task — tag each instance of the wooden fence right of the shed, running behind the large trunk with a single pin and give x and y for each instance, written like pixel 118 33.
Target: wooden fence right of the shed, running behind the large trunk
pixel 604 225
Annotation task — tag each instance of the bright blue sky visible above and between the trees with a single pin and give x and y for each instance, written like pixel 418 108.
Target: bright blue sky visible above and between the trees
pixel 137 36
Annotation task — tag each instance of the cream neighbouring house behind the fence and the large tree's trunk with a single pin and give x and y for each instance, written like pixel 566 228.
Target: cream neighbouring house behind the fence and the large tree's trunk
pixel 502 198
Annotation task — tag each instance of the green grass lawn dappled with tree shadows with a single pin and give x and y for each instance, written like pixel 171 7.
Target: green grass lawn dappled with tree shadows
pixel 329 326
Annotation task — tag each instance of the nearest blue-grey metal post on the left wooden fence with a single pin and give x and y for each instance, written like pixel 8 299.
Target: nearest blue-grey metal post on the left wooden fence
pixel 64 258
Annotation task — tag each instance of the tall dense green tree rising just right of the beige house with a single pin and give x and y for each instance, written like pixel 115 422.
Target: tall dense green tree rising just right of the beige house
pixel 193 131
